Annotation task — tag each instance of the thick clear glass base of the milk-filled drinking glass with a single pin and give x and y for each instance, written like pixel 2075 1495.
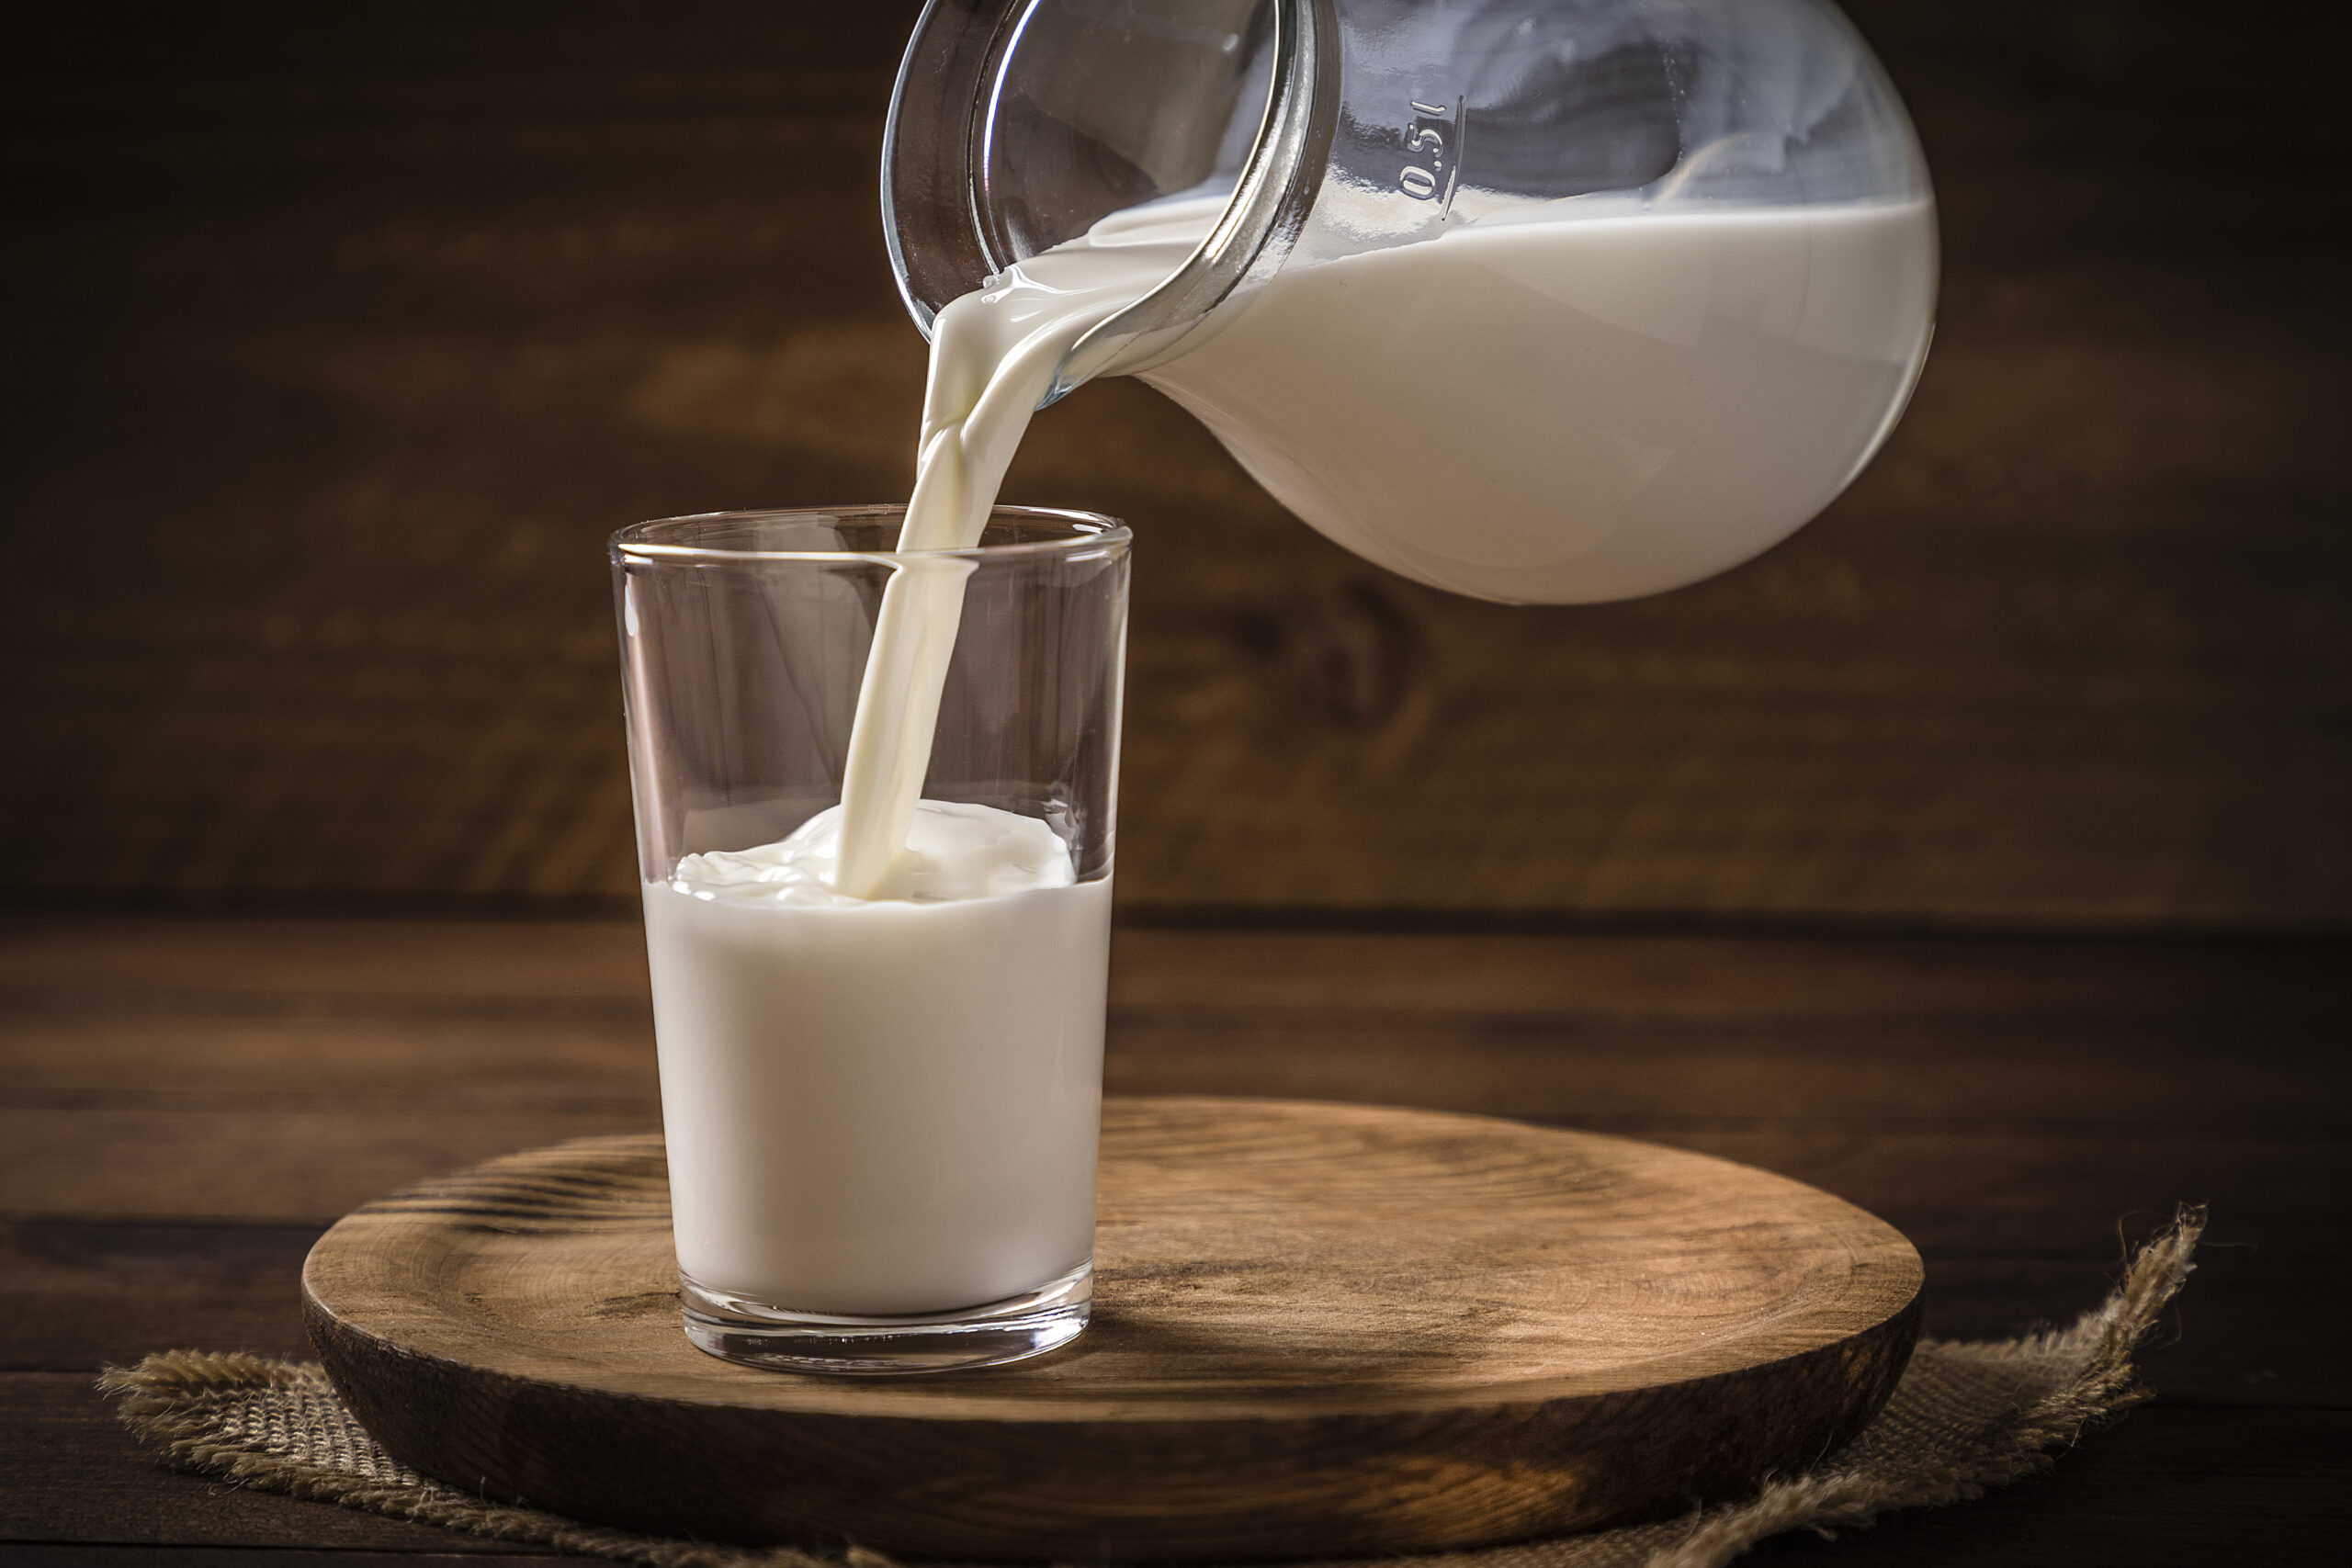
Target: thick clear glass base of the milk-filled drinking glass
pixel 1015 1329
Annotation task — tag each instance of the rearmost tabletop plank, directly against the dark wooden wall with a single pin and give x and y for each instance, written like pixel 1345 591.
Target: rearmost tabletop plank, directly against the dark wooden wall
pixel 596 970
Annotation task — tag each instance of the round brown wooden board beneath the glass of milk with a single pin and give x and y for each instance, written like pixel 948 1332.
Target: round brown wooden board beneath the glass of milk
pixel 1318 1332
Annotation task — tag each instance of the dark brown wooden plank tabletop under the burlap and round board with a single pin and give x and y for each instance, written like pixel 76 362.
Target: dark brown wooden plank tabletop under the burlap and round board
pixel 187 1104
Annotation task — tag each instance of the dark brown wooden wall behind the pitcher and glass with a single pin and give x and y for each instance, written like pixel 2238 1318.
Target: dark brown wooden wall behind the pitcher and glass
pixel 345 333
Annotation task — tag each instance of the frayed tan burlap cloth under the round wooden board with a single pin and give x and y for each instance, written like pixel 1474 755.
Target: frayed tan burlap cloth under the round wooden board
pixel 1965 1419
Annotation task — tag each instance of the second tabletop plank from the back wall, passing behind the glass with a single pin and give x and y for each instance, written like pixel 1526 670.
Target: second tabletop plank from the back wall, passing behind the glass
pixel 2104 1073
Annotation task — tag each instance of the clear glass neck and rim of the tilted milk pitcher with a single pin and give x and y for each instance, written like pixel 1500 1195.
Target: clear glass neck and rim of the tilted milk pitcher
pixel 1020 123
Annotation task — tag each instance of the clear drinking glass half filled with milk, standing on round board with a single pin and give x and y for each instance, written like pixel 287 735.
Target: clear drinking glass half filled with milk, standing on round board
pixel 881 1113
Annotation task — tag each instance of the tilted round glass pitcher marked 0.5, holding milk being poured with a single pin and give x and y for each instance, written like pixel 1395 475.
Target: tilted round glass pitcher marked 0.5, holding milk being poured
pixel 1528 300
